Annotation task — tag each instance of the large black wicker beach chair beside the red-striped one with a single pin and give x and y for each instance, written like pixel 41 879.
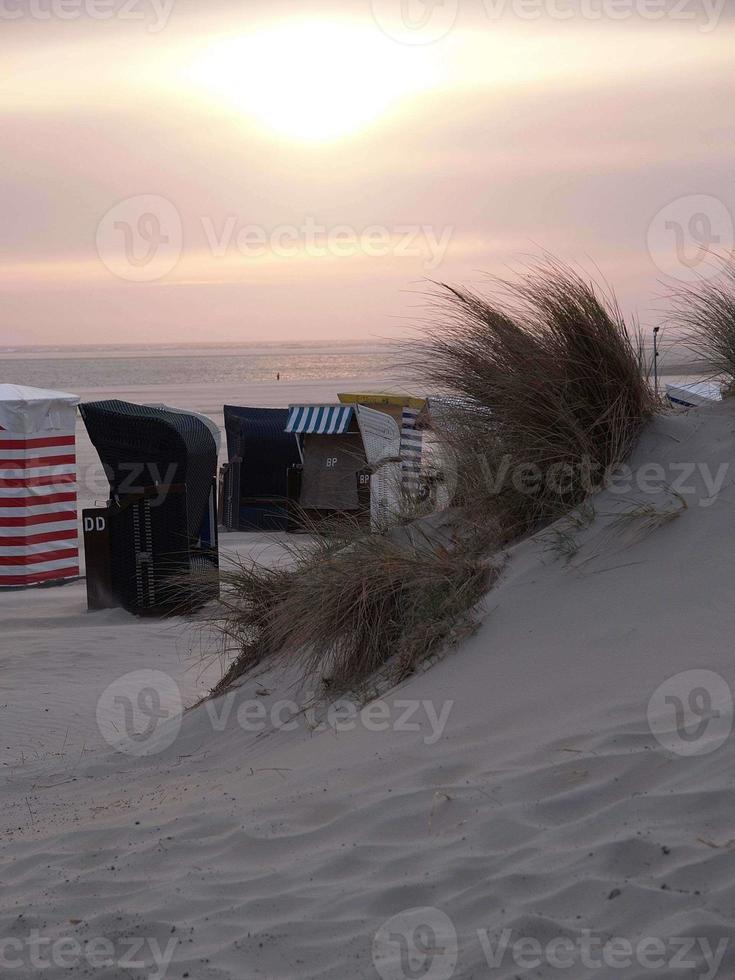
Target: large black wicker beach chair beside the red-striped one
pixel 161 516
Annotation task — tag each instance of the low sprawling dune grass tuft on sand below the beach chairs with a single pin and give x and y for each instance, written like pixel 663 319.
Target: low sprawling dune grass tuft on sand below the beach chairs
pixel 345 607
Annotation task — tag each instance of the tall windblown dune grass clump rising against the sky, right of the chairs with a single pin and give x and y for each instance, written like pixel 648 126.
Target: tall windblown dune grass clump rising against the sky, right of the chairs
pixel 546 390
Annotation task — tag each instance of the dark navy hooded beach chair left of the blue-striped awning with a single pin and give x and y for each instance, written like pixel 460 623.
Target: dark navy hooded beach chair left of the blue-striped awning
pixel 260 453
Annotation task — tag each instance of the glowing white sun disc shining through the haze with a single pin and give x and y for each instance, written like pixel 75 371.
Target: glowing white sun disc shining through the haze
pixel 309 81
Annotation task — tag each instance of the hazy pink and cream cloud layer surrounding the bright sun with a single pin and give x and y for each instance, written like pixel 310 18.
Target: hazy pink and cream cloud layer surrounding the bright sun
pixel 567 136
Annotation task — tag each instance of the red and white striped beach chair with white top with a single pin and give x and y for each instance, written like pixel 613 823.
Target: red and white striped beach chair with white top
pixel 38 488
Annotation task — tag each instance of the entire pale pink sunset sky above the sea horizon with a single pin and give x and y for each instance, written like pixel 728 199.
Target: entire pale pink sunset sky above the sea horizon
pixel 212 170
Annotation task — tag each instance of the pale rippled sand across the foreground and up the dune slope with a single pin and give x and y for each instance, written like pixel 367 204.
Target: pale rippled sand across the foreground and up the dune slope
pixel 547 806
